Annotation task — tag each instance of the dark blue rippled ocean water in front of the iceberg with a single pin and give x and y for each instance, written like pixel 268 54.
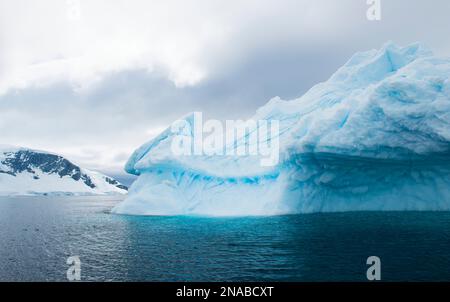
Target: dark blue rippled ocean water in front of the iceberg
pixel 37 235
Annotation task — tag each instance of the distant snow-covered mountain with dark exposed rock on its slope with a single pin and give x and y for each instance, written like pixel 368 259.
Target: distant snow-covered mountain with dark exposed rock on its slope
pixel 31 172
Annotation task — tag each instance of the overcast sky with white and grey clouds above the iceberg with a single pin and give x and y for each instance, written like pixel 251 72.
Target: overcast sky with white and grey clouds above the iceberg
pixel 93 82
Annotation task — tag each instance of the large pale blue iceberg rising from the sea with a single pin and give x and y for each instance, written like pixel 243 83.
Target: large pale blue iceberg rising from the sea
pixel 374 137
